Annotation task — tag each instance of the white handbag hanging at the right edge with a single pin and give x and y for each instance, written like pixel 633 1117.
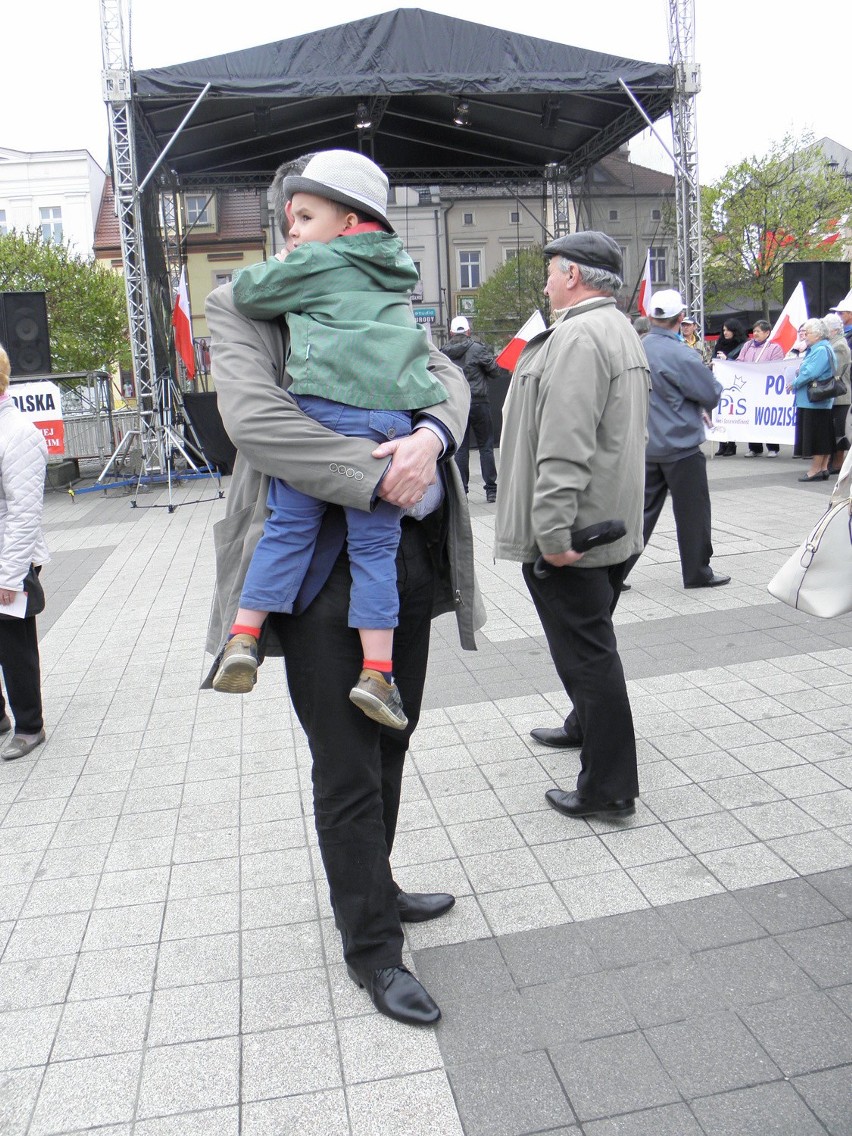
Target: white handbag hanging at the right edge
pixel 818 577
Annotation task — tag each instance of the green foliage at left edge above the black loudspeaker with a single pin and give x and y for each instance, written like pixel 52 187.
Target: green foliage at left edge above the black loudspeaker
pixel 87 306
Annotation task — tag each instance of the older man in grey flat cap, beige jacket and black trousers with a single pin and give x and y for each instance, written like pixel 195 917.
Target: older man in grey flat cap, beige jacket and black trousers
pixel 573 455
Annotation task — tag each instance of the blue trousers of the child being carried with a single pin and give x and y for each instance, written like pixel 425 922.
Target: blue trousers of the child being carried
pixel 285 552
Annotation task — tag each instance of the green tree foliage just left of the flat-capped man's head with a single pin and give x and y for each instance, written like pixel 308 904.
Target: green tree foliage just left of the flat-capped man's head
pixel 511 296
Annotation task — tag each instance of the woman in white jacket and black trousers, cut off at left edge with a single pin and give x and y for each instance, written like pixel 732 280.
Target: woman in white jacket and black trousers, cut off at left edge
pixel 23 461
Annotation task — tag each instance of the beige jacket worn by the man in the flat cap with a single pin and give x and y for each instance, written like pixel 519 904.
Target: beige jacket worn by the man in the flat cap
pixel 573 450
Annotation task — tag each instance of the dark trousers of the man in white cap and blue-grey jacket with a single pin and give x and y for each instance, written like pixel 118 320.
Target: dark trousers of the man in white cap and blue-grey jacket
pixel 687 481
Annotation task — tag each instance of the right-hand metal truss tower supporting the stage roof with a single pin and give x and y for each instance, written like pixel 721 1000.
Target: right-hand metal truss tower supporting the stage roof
pixel 688 190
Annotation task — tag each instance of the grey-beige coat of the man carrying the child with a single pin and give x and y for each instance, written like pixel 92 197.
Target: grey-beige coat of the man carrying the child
pixel 274 439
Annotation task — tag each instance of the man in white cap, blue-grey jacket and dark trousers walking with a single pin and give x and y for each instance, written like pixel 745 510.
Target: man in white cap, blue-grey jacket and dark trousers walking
pixel 682 390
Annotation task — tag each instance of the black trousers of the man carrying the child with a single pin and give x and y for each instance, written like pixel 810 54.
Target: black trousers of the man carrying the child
pixel 357 765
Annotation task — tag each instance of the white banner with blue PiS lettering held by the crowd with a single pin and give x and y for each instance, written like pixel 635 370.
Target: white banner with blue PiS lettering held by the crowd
pixel 755 405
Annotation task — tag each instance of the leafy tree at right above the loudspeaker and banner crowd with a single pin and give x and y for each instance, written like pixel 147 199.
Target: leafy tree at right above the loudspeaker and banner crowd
pixel 767 212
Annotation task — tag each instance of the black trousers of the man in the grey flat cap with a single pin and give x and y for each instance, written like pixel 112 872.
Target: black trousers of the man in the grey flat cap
pixel 575 607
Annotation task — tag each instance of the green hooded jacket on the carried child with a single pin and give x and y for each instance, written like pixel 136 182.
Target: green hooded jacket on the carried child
pixel 353 337
